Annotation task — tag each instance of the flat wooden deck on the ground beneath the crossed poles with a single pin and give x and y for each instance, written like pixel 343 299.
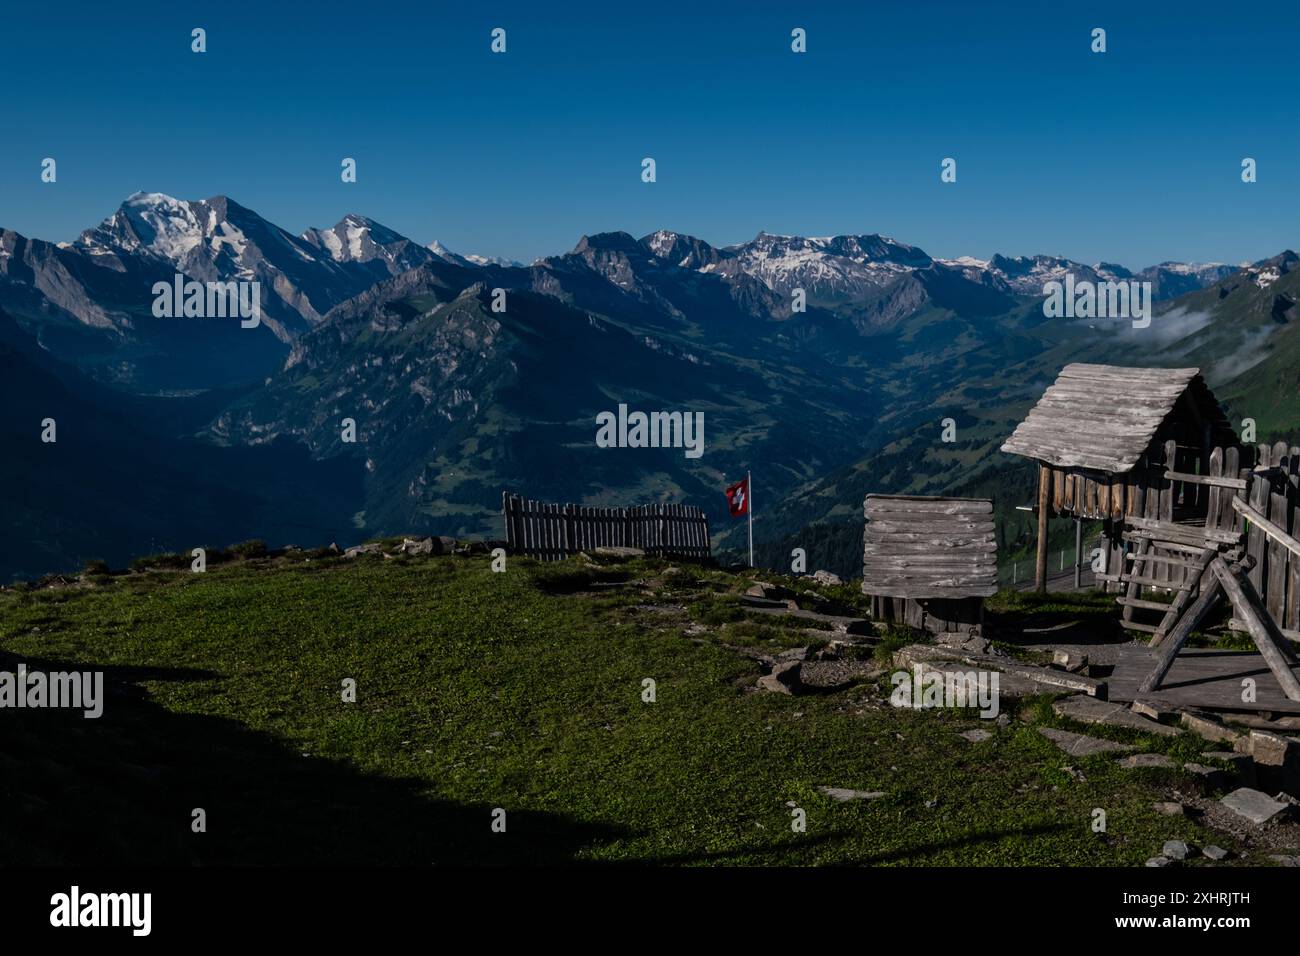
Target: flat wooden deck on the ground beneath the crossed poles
pixel 1202 678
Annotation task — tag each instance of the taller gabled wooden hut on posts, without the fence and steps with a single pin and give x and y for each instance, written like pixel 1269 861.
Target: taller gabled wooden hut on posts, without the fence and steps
pixel 1111 444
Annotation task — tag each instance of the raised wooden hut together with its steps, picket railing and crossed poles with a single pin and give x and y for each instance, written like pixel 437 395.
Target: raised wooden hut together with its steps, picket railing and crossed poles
pixel 1151 455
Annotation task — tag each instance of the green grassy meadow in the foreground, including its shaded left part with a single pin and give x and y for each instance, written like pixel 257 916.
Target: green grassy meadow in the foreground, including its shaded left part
pixel 518 691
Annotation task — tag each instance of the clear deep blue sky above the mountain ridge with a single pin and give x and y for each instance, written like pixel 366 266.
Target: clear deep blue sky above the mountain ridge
pixel 1130 157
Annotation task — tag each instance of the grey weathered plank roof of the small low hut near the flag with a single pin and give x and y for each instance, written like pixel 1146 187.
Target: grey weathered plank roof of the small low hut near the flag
pixel 928 548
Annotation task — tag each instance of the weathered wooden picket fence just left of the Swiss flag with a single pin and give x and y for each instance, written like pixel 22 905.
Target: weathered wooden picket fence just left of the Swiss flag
pixel 553 533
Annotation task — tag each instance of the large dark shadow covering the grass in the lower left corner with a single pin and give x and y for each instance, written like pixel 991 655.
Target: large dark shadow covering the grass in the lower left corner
pixel 120 790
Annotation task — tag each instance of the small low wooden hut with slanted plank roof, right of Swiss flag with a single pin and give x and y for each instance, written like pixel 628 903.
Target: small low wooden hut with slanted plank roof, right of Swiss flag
pixel 930 563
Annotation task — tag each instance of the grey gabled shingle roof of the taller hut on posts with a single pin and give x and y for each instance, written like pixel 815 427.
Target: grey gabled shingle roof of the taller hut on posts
pixel 1104 418
